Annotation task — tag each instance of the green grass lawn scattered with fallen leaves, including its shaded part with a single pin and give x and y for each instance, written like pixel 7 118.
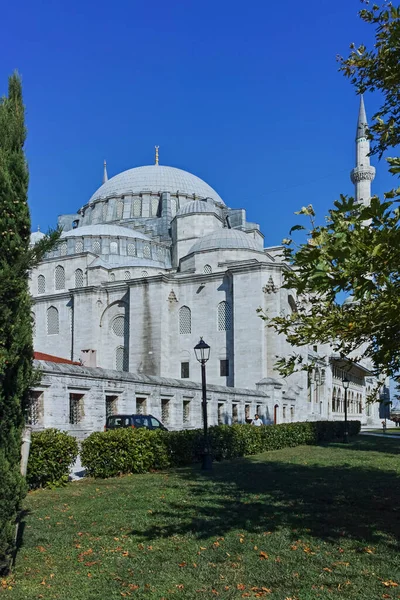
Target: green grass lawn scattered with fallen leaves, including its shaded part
pixel 300 523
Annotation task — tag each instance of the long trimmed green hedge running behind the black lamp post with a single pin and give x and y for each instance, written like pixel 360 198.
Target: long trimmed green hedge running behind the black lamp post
pixel 111 453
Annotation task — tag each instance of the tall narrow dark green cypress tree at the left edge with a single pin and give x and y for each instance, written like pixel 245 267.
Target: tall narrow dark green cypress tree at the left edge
pixel 16 348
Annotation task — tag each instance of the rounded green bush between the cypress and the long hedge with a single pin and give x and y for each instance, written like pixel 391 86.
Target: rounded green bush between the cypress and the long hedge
pixel 51 454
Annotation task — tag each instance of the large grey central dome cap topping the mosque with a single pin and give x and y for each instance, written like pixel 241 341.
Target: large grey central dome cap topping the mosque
pixel 155 178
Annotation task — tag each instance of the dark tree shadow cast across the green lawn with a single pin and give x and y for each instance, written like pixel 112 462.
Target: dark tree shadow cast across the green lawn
pixel 328 502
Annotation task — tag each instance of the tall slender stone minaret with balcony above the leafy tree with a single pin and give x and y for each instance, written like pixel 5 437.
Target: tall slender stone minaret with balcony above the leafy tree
pixel 363 173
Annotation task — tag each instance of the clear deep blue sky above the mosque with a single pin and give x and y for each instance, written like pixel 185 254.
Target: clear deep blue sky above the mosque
pixel 245 95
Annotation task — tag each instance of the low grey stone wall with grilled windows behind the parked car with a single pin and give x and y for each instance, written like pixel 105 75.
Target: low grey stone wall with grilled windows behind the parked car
pixel 75 399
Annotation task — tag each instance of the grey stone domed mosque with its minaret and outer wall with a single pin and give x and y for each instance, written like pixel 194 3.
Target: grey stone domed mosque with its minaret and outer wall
pixel 154 260
